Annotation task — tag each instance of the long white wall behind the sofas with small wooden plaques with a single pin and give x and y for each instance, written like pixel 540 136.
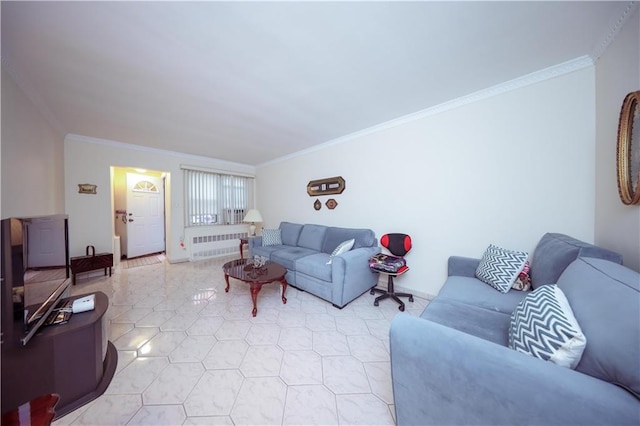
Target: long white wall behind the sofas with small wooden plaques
pixel 502 170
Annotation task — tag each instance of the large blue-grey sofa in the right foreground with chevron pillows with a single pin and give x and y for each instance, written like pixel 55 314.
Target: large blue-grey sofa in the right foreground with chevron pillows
pixel 453 364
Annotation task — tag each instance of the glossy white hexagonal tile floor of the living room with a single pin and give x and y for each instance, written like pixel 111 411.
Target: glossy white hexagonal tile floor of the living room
pixel 189 353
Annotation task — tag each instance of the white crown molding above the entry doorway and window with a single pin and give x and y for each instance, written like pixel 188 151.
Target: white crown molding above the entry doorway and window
pixel 219 165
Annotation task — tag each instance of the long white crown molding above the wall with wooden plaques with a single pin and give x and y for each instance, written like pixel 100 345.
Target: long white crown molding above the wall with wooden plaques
pixel 499 89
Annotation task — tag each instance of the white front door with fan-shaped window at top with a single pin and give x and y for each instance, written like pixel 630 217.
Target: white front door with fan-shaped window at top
pixel 145 215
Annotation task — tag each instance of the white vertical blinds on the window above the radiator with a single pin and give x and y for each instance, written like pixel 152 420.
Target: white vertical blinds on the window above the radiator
pixel 216 199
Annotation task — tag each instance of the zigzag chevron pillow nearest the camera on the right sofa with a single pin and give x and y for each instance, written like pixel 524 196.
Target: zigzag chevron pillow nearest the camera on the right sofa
pixel 543 325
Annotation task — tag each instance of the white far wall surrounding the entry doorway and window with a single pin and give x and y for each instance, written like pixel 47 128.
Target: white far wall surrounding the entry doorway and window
pixel 91 217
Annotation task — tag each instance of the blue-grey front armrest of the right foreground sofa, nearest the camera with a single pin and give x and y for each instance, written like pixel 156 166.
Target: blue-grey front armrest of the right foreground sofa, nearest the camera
pixel 444 376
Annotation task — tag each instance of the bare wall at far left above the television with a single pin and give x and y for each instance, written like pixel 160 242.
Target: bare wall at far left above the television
pixel 32 160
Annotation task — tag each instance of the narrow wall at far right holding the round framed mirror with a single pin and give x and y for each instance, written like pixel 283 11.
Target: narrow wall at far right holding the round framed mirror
pixel 617 73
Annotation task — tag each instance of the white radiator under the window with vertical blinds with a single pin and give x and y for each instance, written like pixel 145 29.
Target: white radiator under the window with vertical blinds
pixel 214 241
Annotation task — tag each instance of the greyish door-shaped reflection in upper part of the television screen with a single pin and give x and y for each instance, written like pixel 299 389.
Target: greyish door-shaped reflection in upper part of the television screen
pixel 45 242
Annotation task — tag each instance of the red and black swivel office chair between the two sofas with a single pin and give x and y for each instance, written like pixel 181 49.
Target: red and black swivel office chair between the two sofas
pixel 398 245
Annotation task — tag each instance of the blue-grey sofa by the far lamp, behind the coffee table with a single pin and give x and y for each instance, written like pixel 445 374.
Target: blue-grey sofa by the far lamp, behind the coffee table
pixel 305 250
